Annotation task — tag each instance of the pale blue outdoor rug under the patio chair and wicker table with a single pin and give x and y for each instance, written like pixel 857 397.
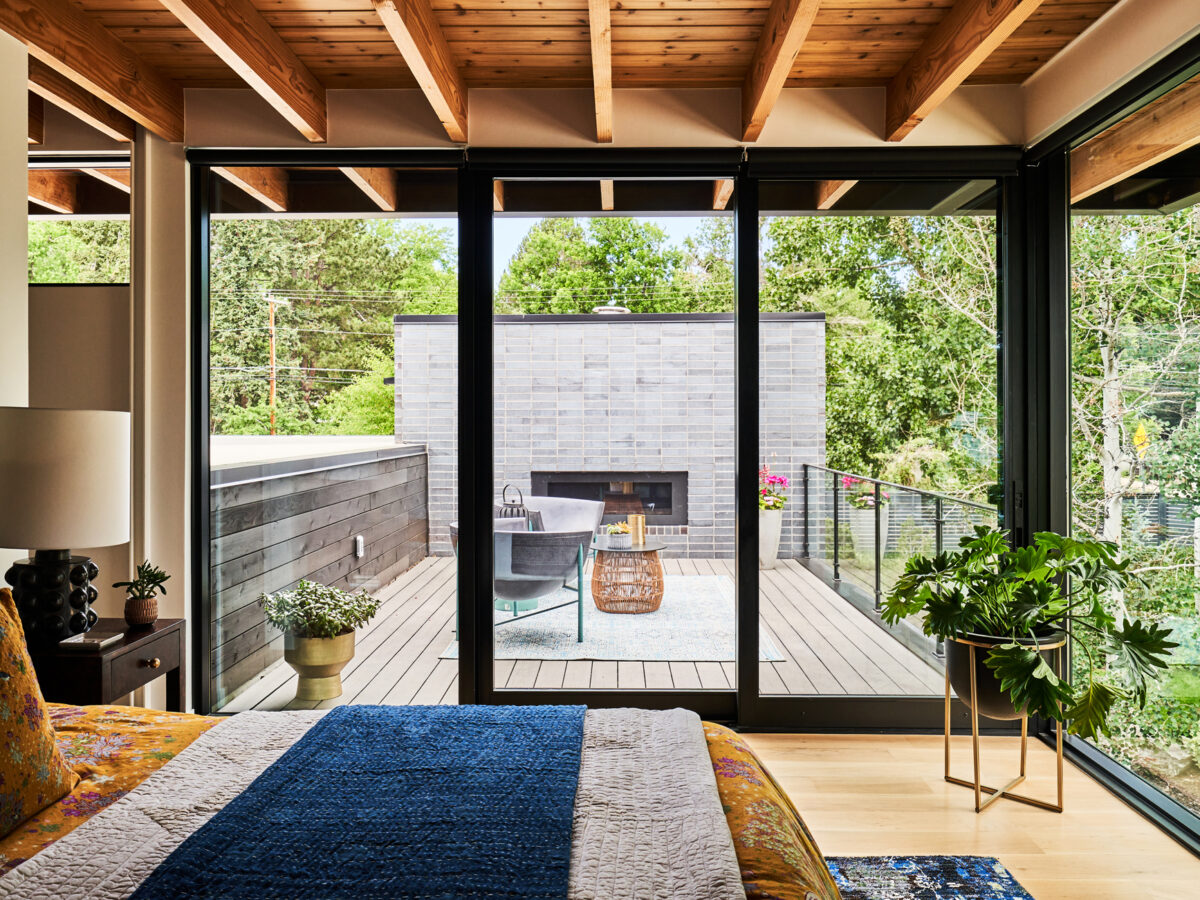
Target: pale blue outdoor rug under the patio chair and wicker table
pixel 695 623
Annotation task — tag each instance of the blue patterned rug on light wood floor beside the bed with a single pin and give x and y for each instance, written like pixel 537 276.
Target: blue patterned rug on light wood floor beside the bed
pixel 925 879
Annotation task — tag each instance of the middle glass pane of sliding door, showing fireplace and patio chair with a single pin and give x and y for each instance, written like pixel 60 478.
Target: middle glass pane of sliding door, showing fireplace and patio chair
pixel 615 436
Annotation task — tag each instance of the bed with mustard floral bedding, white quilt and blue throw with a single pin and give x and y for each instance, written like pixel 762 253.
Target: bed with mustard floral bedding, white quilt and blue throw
pixel 143 772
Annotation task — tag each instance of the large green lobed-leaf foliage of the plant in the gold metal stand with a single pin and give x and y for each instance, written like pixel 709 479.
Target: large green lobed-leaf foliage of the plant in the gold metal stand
pixel 1037 596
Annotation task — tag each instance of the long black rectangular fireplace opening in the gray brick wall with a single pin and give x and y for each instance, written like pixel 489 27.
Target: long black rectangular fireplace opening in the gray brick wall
pixel 659 496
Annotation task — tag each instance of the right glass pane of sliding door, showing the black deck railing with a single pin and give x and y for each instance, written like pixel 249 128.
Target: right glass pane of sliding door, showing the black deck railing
pixel 879 419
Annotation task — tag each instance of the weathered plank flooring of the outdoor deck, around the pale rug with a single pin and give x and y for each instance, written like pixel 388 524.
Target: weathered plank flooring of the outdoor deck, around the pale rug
pixel 830 649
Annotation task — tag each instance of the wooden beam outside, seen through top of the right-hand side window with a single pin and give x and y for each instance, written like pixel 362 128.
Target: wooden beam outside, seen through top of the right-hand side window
pixel 1148 137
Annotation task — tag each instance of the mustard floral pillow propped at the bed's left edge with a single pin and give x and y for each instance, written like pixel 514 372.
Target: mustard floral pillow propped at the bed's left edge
pixel 33 772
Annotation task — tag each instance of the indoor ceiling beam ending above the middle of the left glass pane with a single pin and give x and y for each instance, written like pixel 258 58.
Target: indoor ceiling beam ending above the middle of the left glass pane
pixel 237 33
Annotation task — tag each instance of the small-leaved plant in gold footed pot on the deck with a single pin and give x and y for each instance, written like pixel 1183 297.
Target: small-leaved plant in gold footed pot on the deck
pixel 319 626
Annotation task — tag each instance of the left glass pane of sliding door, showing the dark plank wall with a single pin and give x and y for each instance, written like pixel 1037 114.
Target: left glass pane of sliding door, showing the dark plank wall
pixel 323 470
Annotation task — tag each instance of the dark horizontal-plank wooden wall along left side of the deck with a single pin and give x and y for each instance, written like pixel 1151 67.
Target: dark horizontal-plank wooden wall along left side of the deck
pixel 277 524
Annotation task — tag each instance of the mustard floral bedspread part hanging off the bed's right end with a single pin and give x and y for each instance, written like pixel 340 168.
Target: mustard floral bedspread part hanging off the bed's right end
pixel 778 856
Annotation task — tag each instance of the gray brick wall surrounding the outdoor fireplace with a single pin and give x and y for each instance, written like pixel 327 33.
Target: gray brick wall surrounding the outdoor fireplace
pixel 639 393
